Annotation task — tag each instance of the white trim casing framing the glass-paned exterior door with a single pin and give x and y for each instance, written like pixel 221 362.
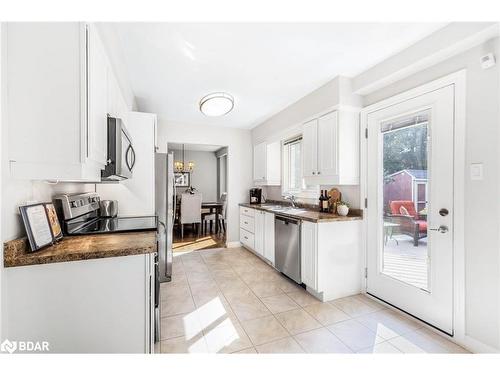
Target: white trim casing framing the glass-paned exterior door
pixel 458 79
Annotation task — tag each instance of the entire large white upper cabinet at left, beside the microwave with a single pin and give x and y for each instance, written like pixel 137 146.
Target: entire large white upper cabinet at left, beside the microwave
pixel 56 90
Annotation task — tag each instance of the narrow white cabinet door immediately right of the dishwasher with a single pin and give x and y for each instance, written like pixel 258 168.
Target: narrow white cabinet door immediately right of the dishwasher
pixel 308 255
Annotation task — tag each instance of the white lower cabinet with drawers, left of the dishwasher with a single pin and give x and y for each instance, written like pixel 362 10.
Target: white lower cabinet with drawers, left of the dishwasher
pixel 257 232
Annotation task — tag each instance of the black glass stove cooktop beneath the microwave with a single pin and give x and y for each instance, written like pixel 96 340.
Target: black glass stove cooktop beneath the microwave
pixel 116 224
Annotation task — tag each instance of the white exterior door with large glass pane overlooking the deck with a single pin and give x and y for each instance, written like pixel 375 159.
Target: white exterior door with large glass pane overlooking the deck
pixel 410 243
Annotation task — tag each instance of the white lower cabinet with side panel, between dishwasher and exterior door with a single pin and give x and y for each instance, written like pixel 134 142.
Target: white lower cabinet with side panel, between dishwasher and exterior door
pixel 331 260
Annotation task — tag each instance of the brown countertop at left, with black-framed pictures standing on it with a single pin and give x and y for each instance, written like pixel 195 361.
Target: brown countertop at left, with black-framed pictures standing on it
pixel 17 252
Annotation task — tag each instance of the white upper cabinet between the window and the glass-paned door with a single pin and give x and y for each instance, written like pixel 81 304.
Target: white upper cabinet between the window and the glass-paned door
pixel 331 149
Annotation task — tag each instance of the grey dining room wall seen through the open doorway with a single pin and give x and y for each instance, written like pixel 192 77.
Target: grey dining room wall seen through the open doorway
pixel 204 175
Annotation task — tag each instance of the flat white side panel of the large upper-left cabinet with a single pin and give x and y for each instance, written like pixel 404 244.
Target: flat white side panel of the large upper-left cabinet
pixel 43 65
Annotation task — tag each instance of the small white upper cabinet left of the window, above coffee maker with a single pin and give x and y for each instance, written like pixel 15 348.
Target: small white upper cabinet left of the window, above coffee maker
pixel 267 163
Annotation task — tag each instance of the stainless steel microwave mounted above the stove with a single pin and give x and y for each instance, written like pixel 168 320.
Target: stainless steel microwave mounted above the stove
pixel 121 153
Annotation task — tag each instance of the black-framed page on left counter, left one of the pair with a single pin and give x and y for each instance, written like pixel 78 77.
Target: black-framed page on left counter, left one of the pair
pixel 37 226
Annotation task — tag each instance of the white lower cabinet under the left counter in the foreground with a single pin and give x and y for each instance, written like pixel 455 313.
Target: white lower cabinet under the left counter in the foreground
pixel 89 306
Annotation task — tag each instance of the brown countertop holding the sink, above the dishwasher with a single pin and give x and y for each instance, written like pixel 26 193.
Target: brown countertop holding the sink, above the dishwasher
pixel 308 214
